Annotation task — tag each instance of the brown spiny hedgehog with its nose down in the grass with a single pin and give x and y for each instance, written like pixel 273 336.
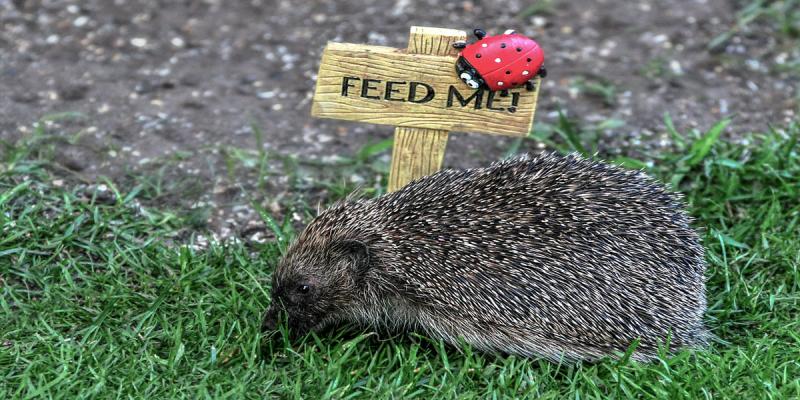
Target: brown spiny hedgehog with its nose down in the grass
pixel 548 256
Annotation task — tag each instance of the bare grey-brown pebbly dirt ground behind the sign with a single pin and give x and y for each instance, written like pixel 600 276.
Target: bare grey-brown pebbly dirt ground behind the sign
pixel 170 89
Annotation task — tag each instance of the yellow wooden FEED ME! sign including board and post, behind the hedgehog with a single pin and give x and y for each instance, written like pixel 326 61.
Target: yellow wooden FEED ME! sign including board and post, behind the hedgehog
pixel 418 91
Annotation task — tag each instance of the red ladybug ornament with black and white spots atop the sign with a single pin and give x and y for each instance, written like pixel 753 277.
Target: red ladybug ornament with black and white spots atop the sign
pixel 500 62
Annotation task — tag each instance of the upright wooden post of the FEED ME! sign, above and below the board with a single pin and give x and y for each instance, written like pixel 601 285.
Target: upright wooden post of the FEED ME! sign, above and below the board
pixel 418 152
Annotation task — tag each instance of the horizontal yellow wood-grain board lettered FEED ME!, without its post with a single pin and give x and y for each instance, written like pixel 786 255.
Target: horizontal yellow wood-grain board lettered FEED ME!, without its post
pixel 385 64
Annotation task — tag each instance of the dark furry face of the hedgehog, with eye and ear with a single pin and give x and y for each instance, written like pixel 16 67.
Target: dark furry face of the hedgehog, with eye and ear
pixel 311 285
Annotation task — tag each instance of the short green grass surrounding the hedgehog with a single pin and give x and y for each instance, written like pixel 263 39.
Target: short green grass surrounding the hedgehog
pixel 102 297
